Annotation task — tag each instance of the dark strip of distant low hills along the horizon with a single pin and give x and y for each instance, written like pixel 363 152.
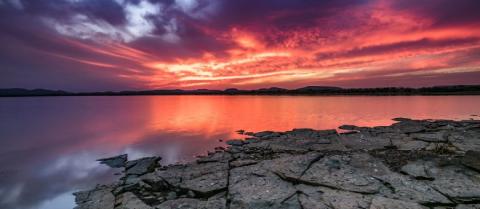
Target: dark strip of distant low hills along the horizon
pixel 307 90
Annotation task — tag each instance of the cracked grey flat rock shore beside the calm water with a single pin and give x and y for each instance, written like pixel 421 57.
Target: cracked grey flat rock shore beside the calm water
pixel 410 164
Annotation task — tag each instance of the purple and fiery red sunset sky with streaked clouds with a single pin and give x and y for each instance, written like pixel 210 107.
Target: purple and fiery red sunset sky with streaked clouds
pixel 98 45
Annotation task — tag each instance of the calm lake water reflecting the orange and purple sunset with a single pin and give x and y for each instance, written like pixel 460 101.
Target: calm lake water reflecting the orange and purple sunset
pixel 48 145
